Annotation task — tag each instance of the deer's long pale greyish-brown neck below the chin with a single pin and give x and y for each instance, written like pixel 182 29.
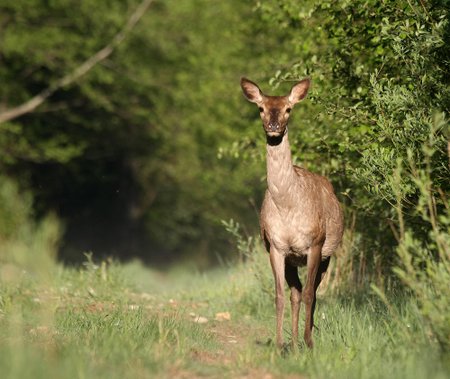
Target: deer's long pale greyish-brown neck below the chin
pixel 280 171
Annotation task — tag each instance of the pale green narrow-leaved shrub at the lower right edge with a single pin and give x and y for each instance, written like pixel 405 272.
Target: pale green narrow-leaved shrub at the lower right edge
pixel 425 262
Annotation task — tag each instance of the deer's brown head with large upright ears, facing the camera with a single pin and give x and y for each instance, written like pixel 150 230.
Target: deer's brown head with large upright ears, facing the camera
pixel 274 110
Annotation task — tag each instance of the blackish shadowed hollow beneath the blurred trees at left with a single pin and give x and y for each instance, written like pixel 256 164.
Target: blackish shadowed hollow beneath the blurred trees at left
pixel 95 201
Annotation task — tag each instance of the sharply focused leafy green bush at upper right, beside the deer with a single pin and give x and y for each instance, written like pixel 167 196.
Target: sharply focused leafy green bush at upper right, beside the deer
pixel 380 77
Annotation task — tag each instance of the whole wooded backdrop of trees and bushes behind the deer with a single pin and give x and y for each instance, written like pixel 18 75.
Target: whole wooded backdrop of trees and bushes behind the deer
pixel 123 130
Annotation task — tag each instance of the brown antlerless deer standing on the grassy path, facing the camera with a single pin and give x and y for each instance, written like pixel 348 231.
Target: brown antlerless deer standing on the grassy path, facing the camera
pixel 301 220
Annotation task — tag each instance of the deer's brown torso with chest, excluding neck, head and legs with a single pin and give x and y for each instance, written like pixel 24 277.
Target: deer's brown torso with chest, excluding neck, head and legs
pixel 307 214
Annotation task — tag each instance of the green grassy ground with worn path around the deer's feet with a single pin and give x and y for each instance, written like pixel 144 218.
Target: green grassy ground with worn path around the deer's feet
pixel 118 321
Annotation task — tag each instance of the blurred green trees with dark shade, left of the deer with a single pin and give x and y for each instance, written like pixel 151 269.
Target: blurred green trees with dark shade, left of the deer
pixel 133 145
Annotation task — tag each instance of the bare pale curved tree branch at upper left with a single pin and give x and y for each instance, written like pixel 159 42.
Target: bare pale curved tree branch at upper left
pixel 81 70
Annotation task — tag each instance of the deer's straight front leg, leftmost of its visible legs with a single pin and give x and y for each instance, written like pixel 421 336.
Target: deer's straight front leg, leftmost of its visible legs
pixel 277 262
